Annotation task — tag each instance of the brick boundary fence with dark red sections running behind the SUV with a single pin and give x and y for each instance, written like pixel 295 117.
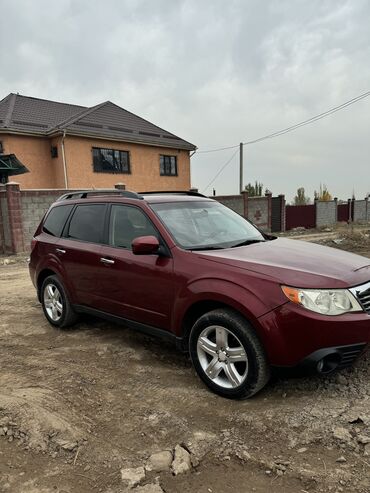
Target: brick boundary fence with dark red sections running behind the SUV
pixel 22 210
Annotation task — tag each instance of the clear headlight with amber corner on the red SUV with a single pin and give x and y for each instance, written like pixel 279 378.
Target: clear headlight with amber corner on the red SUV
pixel 324 301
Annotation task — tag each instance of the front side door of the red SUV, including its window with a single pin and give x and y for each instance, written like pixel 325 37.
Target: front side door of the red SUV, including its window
pixel 137 287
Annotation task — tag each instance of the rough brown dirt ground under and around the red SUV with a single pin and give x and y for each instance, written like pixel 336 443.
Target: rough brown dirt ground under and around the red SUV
pixel 78 406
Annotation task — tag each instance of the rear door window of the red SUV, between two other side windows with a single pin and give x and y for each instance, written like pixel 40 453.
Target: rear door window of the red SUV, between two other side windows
pixel 87 223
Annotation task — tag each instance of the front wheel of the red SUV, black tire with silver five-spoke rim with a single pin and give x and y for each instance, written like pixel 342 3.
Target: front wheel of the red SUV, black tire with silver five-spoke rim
pixel 236 379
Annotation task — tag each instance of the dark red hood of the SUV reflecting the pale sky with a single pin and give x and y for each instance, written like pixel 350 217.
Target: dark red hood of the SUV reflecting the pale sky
pixel 297 263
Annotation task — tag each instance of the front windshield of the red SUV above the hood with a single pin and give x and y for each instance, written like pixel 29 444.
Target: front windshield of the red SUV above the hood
pixel 206 225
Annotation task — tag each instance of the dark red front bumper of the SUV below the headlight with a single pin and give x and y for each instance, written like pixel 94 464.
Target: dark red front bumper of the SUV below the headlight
pixel 291 334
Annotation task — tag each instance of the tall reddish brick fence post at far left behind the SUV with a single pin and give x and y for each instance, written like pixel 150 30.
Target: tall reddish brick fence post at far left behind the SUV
pixel 13 197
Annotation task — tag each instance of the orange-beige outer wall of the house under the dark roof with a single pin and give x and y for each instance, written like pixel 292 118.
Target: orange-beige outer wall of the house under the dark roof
pixel 47 172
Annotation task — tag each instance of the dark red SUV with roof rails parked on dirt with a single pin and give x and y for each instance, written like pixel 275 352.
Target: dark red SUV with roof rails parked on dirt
pixel 186 268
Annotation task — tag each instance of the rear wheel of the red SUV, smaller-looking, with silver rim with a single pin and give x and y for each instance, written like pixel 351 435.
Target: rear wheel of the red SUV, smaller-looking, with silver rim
pixel 64 317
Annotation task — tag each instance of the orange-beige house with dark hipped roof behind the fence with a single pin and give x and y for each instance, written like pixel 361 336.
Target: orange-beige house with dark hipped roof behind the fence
pixel 69 146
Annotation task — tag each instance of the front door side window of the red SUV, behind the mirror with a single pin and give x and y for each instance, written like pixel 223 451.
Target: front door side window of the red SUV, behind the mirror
pixel 127 223
